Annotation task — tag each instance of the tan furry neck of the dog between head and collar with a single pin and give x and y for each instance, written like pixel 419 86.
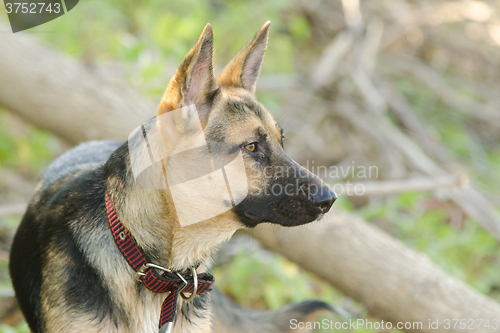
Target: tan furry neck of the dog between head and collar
pixel 150 218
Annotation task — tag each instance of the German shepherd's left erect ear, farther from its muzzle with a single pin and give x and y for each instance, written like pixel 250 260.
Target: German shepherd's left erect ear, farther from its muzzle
pixel 194 81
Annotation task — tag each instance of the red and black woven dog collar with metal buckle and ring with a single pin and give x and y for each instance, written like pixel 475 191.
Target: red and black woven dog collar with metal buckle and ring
pixel 174 283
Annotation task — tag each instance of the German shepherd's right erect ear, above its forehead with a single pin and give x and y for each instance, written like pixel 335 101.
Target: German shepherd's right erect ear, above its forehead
pixel 243 70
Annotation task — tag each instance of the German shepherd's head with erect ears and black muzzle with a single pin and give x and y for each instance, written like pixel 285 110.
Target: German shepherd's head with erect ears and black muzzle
pixel 278 189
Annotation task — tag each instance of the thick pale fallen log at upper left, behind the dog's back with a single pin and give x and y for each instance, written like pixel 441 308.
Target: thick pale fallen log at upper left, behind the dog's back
pixel 62 95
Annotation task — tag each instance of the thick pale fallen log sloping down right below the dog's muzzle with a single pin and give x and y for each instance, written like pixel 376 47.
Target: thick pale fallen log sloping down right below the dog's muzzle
pixel 395 283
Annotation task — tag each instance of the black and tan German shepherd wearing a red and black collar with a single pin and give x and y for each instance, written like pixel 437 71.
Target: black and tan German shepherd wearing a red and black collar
pixel 69 275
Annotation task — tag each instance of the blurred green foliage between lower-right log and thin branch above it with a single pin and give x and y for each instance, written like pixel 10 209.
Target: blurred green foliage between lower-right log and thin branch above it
pixel 467 251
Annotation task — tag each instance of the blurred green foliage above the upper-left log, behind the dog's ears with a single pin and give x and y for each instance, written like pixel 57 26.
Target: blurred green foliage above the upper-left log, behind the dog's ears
pixel 148 39
